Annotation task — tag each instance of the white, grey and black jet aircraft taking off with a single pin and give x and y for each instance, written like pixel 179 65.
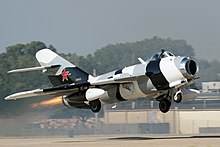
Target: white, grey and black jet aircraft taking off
pixel 163 77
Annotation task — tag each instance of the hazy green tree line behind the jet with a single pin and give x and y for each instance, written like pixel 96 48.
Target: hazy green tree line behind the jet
pixel 108 58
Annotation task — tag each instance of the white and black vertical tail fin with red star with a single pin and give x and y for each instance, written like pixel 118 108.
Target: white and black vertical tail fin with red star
pixel 64 71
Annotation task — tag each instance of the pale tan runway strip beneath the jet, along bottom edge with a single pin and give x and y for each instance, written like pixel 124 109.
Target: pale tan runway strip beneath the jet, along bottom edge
pixel 115 141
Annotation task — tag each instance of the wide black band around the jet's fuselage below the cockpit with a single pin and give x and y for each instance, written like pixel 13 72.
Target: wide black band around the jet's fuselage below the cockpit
pixel 156 76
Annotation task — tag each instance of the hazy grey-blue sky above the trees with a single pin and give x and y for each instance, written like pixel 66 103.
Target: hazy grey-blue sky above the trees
pixel 81 26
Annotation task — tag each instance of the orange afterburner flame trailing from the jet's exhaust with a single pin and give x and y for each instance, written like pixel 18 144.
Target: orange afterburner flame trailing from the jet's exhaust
pixel 51 102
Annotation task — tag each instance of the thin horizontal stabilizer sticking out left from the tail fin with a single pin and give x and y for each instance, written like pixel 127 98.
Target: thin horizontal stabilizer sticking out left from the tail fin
pixel 33 69
